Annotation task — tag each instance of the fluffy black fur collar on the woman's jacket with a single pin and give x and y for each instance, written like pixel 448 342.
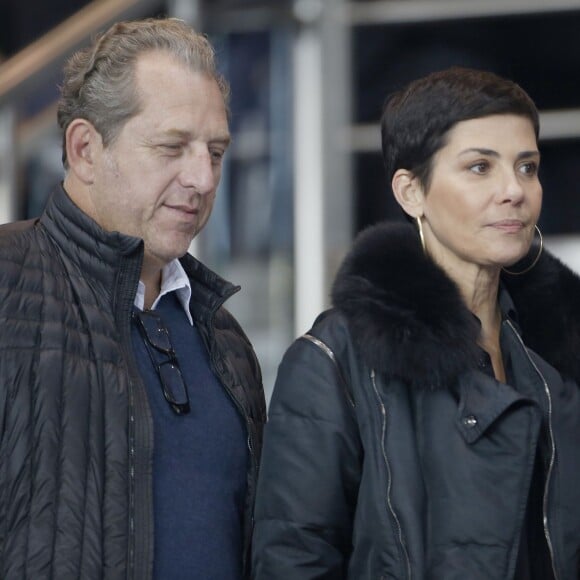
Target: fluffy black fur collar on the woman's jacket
pixel 408 319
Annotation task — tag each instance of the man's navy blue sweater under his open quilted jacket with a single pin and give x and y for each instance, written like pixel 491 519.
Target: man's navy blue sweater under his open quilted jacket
pixel 199 465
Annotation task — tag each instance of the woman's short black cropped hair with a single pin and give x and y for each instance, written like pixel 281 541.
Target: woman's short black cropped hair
pixel 416 120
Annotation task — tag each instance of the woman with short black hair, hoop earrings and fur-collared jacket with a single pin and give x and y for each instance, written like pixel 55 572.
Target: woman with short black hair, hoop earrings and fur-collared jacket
pixel 428 426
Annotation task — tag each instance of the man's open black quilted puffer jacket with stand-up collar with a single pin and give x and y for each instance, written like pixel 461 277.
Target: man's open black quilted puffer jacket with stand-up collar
pixel 75 427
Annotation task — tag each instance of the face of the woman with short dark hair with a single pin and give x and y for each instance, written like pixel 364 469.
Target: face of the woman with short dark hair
pixel 485 197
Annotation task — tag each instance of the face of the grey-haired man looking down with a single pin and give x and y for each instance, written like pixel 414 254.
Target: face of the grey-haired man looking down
pixel 157 180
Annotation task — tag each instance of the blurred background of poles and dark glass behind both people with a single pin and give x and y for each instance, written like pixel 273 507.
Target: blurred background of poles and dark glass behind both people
pixel 309 78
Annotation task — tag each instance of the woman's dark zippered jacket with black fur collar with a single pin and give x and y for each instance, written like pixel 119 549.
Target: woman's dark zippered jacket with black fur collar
pixel 391 452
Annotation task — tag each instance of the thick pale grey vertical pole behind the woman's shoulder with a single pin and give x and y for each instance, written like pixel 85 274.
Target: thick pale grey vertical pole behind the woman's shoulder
pixel 322 162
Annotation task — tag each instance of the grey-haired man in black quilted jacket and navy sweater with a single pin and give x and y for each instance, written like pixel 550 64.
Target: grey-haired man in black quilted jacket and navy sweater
pixel 131 404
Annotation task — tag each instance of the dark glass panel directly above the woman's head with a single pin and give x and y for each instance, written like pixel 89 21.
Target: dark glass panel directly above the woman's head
pixel 389 55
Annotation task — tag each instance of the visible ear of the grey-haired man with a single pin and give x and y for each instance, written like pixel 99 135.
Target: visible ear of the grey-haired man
pixel 83 147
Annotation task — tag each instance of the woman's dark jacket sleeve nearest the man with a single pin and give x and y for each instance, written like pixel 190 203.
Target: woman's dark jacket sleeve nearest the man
pixel 309 474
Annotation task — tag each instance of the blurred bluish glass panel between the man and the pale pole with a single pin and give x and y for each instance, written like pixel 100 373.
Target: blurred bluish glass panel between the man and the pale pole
pixel 249 238
